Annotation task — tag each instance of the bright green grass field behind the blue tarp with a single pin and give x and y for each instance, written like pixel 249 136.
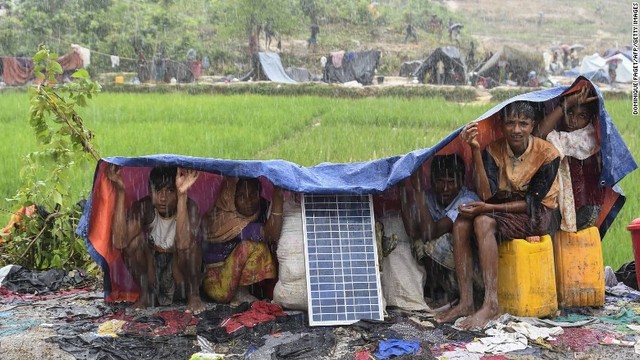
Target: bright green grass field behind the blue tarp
pixel 306 130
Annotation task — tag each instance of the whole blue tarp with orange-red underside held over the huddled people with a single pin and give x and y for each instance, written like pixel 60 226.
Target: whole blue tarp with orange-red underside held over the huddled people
pixel 378 177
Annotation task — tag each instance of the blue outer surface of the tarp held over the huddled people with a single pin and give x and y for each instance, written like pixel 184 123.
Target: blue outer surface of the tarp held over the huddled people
pixel 377 175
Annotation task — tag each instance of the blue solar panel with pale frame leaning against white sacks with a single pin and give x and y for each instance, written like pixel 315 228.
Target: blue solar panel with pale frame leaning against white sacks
pixel 343 280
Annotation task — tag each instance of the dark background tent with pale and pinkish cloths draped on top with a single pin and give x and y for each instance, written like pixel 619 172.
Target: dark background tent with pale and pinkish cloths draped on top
pixel 358 66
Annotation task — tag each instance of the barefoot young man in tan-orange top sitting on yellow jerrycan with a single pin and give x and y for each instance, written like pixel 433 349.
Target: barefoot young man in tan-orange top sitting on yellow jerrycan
pixel 515 178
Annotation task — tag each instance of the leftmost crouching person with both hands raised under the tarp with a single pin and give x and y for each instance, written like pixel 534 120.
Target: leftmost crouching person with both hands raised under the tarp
pixel 157 236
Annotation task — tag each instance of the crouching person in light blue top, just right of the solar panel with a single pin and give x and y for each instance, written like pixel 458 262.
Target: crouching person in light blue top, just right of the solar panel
pixel 428 214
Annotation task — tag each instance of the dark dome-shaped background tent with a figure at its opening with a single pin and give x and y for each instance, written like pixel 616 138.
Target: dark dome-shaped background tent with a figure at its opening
pixel 455 69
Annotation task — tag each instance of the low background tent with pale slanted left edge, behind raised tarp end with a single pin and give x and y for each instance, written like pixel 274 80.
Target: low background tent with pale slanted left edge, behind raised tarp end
pixel 519 64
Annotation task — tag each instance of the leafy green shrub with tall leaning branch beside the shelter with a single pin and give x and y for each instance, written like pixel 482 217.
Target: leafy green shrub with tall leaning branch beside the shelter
pixel 47 239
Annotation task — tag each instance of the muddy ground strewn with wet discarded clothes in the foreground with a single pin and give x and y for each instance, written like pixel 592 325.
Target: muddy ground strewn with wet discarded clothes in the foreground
pixel 30 325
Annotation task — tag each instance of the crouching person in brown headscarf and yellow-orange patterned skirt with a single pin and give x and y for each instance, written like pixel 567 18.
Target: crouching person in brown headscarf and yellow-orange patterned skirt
pixel 237 233
